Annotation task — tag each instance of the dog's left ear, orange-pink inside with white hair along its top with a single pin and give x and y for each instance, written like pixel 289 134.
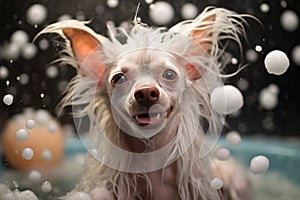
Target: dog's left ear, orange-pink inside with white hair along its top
pixel 83 44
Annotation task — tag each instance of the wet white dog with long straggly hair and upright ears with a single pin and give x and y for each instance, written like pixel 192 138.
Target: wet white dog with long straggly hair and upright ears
pixel 146 95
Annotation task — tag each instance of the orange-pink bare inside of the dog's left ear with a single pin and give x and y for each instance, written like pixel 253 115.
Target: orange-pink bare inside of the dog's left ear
pixel 87 51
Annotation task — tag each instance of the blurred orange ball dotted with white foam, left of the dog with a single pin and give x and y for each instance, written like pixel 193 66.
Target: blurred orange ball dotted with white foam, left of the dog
pixel 36 146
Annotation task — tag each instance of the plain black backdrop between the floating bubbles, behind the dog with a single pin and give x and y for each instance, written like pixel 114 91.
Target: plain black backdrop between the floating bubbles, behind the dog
pixel 284 120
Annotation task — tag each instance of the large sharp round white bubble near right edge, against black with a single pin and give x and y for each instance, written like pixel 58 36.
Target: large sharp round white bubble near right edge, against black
pixel 276 62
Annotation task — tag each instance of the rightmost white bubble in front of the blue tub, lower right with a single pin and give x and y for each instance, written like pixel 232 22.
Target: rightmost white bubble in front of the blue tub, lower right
pixel 259 164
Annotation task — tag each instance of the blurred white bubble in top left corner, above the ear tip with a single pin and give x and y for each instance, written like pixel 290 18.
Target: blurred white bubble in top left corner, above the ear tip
pixel 36 14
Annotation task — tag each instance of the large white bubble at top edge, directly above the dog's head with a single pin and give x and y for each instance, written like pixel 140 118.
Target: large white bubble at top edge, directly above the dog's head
pixel 161 12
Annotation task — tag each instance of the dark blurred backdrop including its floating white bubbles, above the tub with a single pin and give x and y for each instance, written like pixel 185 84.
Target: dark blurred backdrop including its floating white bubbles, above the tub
pixel 271 102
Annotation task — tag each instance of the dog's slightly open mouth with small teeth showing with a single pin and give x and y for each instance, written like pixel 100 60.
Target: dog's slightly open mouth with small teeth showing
pixel 146 118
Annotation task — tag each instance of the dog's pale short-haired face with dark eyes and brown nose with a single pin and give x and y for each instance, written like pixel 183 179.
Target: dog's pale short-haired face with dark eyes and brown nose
pixel 145 88
